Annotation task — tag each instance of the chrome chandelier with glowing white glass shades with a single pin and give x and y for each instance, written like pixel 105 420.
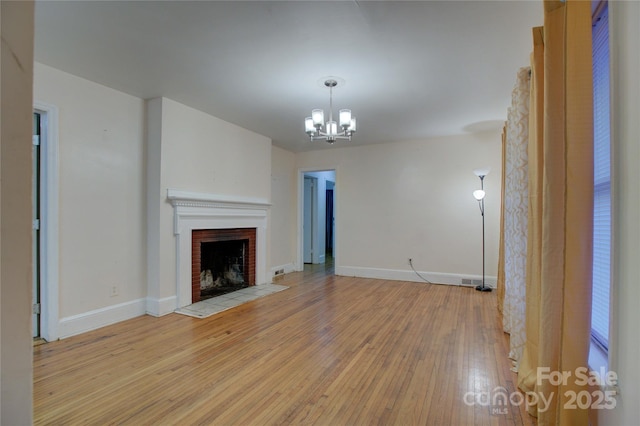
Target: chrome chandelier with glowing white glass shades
pixel 313 125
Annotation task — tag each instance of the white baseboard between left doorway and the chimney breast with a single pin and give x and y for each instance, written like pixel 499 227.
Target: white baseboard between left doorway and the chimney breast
pixel 92 320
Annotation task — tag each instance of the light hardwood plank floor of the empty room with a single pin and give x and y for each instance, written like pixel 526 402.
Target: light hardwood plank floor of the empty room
pixel 327 351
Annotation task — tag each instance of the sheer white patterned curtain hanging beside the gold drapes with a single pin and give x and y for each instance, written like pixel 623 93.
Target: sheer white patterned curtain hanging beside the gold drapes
pixel 515 215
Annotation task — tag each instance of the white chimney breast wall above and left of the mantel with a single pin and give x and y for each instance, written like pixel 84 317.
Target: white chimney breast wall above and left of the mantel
pixel 198 153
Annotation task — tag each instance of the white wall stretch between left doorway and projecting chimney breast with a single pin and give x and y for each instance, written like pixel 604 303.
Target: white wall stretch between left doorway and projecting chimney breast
pixel 101 197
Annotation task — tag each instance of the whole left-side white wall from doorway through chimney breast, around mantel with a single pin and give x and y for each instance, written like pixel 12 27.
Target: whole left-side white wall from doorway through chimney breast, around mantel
pixel 114 218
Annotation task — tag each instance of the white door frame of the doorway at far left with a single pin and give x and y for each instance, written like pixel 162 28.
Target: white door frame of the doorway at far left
pixel 49 225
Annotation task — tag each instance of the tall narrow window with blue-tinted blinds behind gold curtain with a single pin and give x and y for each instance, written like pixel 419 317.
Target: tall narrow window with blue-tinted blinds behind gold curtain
pixel 602 182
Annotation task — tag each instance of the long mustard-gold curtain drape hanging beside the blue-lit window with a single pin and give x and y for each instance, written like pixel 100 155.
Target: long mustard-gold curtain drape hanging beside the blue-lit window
pixel 560 222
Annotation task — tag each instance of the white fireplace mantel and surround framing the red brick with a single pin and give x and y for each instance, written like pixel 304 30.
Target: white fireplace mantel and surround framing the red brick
pixel 193 210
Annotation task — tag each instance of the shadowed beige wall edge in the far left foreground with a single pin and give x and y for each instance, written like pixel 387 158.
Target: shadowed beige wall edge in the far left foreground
pixel 16 343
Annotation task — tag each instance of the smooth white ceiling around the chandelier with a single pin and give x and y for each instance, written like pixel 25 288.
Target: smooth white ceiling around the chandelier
pixel 411 70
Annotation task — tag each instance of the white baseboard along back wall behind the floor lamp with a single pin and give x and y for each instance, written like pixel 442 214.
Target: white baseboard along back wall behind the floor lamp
pixel 409 275
